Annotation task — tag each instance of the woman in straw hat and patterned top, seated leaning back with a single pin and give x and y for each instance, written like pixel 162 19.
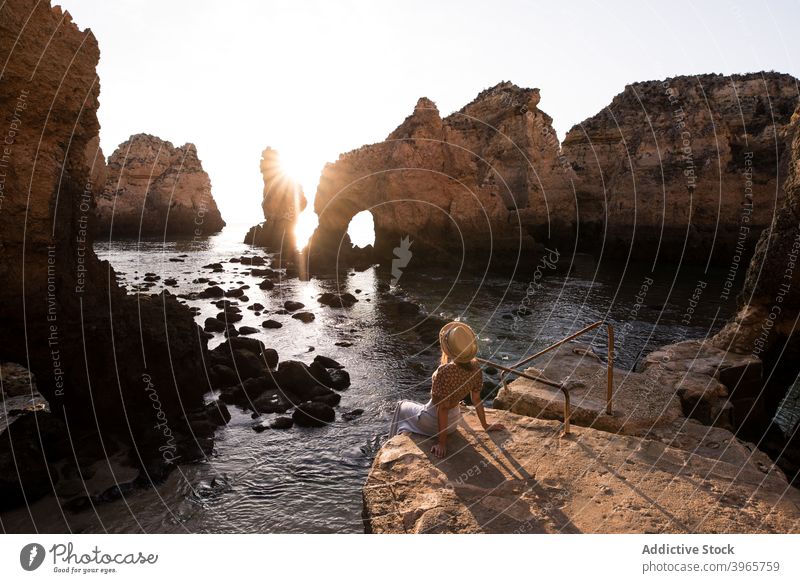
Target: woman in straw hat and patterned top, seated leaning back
pixel 458 375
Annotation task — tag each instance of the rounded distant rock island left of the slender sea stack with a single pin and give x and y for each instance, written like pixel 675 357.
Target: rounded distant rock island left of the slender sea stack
pixel 154 188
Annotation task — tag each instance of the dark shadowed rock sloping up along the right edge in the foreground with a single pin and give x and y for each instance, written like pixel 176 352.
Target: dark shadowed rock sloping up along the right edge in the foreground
pixel 764 329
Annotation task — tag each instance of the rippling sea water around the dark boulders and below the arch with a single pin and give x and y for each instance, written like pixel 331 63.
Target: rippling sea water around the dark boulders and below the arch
pixel 309 480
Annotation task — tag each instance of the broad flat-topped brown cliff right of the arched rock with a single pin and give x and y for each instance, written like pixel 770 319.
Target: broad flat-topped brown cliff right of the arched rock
pixel 683 163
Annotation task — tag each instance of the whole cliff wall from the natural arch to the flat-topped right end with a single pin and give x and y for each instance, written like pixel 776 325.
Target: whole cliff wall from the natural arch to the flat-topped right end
pixel 685 163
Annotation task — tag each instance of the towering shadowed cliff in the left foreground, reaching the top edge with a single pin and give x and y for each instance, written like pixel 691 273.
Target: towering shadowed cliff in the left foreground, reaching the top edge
pixel 101 358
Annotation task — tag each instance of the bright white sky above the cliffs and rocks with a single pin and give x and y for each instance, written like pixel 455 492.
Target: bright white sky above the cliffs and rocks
pixel 316 78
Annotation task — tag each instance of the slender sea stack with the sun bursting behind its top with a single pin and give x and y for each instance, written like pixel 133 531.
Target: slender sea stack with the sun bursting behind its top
pixel 282 202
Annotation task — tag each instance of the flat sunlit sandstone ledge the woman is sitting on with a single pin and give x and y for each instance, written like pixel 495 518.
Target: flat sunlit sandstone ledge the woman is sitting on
pixel 529 479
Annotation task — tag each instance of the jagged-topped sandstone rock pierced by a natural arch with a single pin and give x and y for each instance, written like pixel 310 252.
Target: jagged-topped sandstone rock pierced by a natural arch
pixel 454 185
